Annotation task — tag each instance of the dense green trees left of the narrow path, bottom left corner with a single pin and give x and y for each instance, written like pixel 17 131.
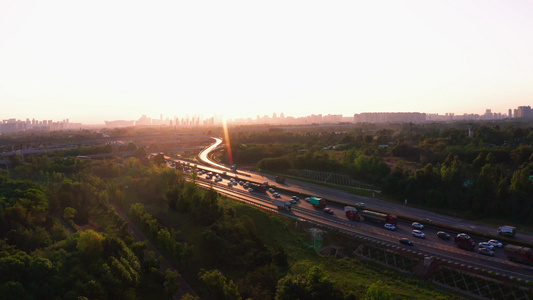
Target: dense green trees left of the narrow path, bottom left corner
pixel 44 254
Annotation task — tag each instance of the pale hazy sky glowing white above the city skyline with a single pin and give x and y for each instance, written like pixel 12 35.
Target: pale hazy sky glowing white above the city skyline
pixel 92 61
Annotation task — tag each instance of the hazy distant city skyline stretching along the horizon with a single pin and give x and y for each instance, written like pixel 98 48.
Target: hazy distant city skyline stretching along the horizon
pixel 16 125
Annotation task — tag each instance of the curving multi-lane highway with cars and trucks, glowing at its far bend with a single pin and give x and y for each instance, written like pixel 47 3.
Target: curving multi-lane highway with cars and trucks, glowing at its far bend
pixel 303 210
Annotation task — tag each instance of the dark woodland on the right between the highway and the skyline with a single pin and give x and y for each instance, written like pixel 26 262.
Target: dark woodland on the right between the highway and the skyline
pixel 437 165
